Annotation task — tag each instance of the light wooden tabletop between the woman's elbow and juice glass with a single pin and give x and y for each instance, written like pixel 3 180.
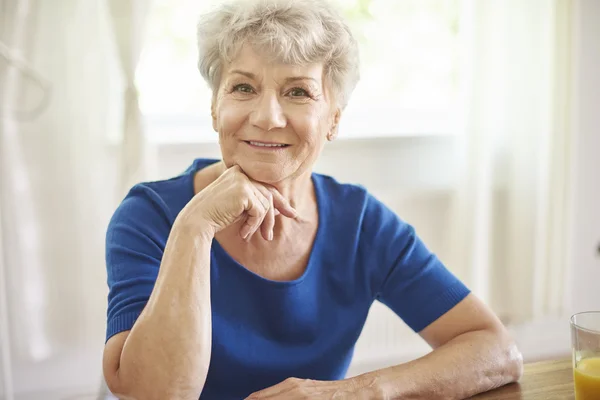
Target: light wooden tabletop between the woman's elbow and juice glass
pixel 549 380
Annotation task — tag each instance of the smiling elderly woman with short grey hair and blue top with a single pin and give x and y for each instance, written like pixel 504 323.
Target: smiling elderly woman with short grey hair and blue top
pixel 251 276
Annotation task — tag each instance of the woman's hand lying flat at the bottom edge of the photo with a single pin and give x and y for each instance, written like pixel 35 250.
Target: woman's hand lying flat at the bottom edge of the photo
pixel 296 389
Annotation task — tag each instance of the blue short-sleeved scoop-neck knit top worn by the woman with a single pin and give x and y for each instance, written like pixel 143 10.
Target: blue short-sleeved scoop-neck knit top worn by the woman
pixel 265 331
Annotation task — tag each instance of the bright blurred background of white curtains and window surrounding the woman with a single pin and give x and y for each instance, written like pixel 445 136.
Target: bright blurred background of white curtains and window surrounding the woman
pixel 476 121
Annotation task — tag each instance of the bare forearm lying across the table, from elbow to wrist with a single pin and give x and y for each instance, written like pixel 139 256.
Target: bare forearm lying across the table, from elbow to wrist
pixel 471 363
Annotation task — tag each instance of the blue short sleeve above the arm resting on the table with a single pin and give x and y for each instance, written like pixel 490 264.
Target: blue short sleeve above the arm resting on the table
pixel 409 278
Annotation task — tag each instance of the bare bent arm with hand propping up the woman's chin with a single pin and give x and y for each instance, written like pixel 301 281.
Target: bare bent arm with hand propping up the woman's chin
pixel 167 352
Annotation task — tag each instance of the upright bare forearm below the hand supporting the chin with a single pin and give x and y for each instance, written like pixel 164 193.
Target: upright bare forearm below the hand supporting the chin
pixel 167 353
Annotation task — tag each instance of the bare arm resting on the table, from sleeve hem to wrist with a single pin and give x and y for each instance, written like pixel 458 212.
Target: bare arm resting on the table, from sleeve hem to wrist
pixel 473 353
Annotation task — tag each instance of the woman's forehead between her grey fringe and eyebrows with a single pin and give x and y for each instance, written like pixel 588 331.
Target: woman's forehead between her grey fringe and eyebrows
pixel 253 62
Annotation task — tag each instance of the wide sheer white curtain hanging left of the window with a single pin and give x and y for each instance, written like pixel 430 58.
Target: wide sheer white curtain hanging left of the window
pixel 61 177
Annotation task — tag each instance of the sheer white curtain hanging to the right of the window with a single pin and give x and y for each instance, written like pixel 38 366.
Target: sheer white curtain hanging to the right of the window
pixel 509 235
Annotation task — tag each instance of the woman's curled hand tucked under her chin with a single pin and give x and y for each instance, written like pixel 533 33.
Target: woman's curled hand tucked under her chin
pixel 233 197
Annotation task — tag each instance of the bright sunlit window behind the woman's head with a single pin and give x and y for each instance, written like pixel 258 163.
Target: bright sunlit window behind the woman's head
pixel 409 70
